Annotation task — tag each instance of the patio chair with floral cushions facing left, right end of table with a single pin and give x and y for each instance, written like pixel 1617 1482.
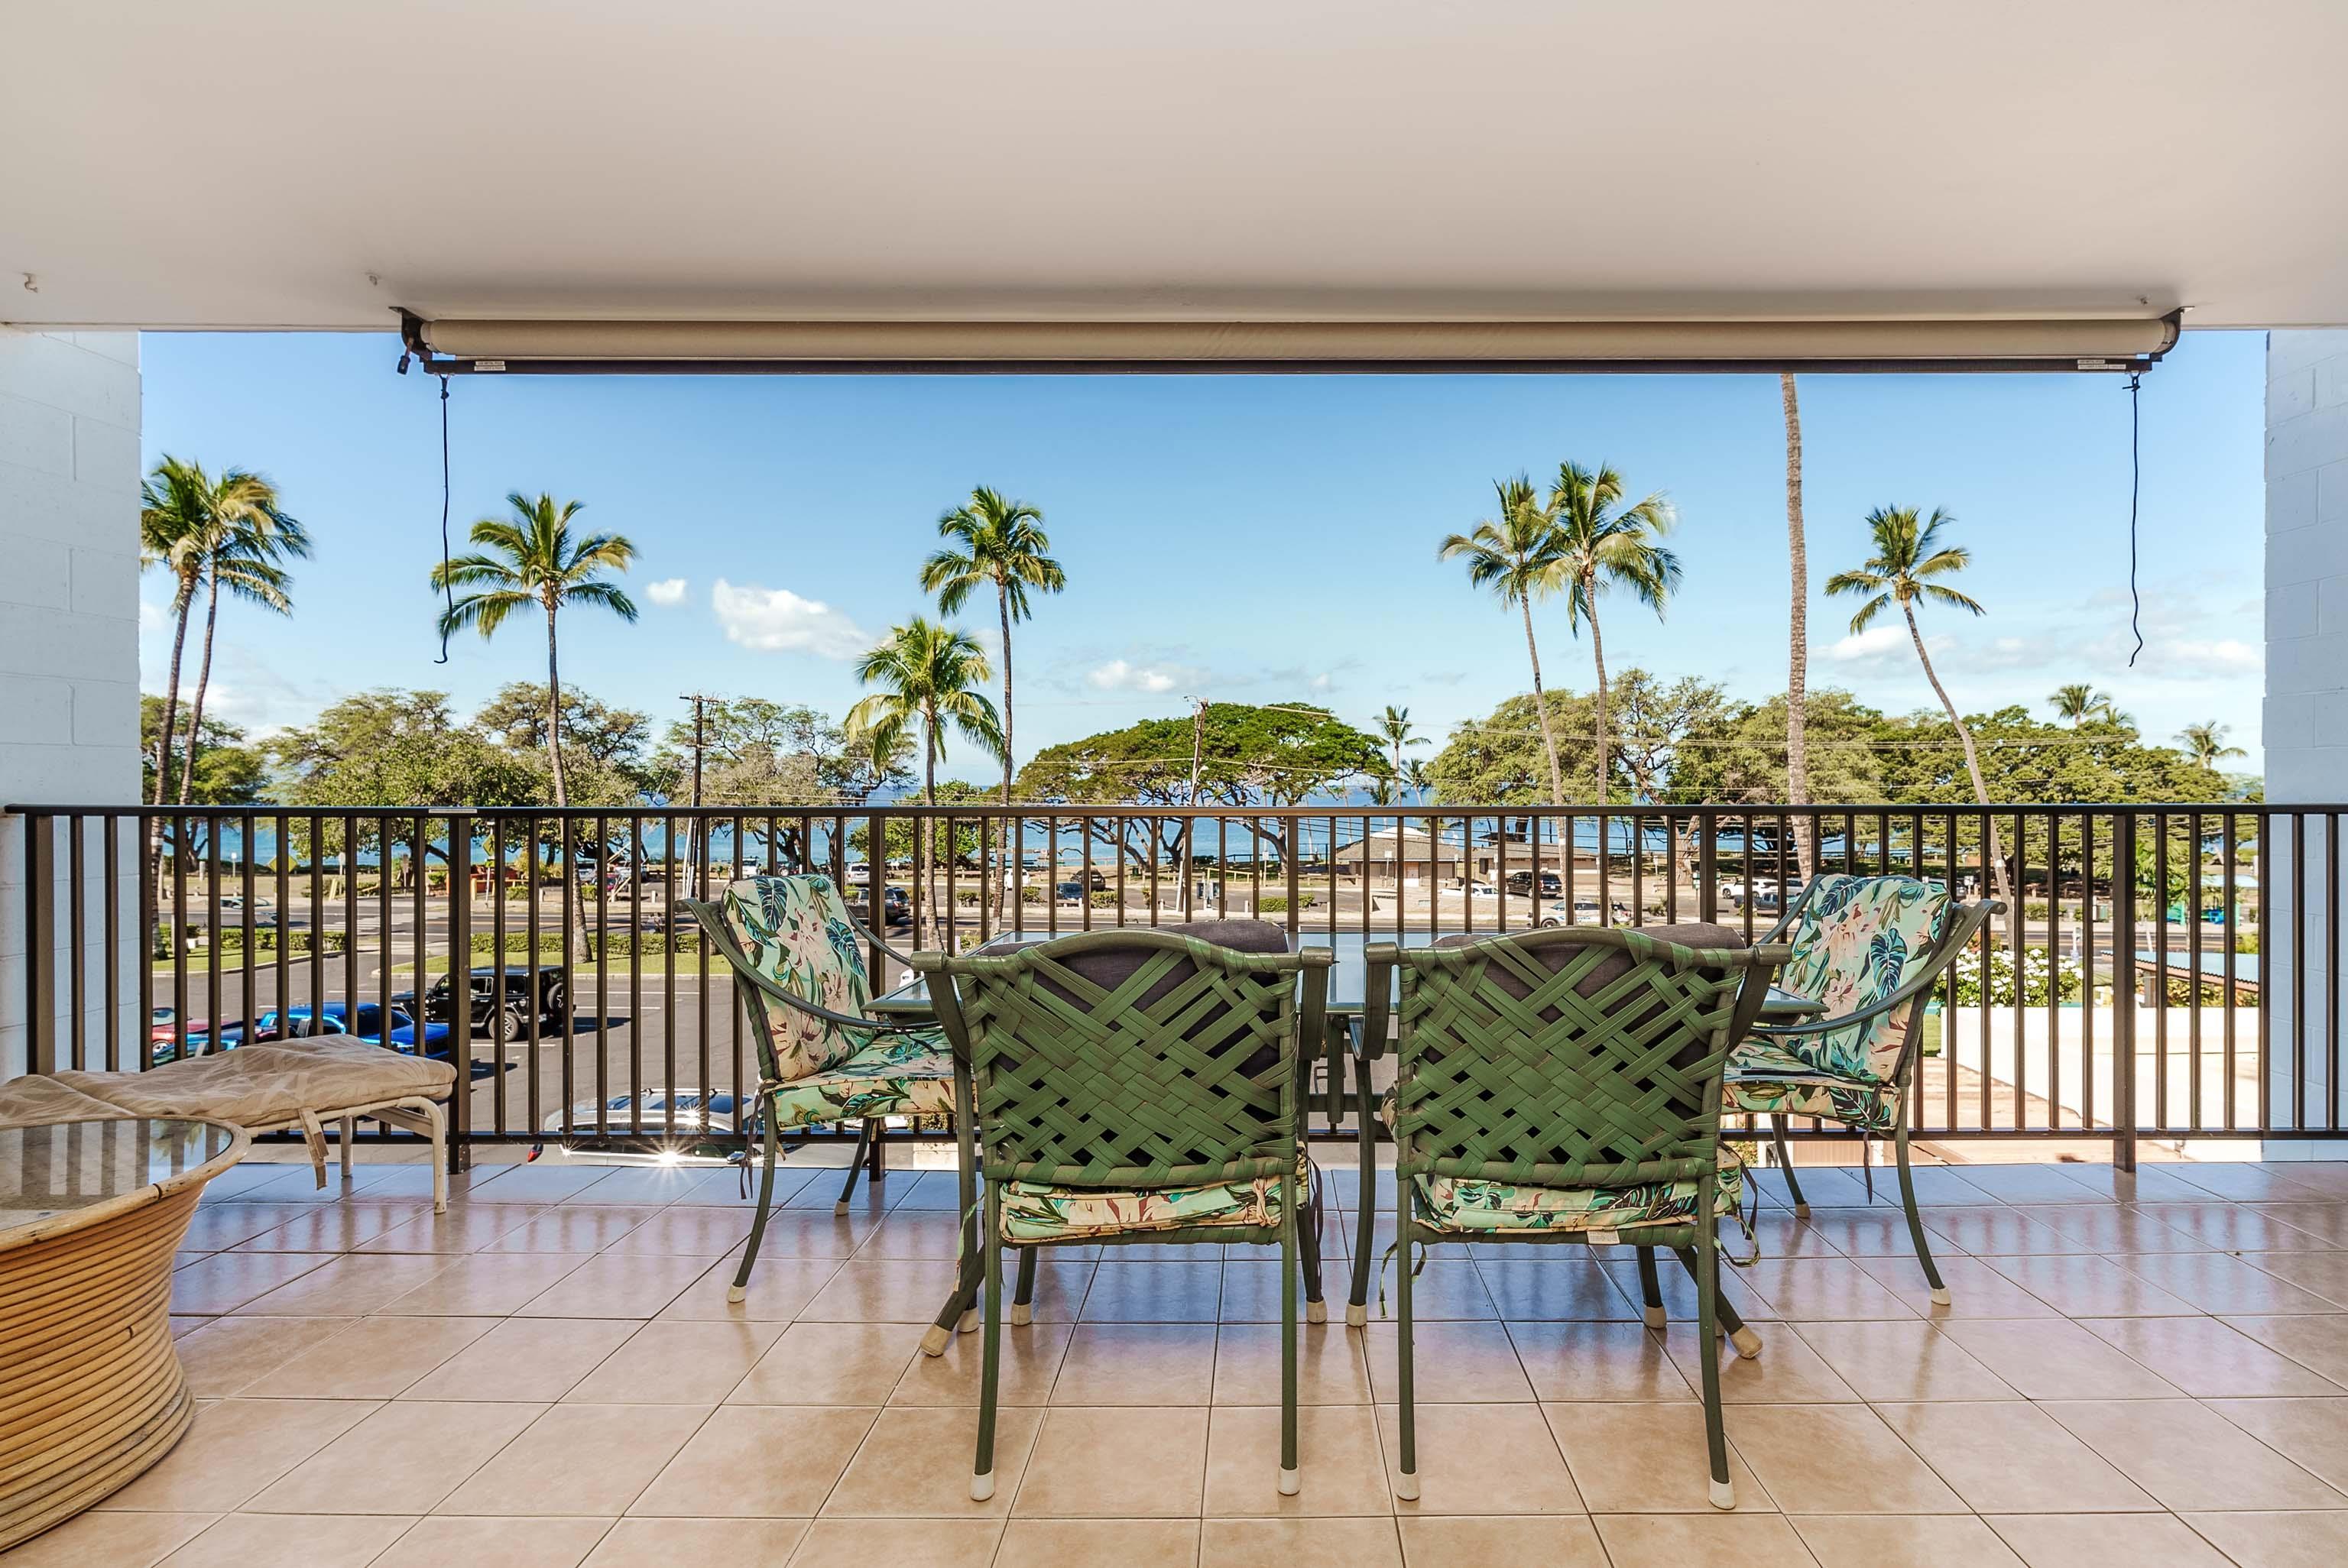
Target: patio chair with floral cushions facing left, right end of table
pixel 1873 949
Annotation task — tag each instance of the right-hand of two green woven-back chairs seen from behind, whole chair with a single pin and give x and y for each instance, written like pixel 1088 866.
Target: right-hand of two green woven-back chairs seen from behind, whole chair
pixel 1565 1086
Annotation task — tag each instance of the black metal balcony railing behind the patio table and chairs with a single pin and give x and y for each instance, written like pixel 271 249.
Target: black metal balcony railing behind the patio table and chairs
pixel 2164 973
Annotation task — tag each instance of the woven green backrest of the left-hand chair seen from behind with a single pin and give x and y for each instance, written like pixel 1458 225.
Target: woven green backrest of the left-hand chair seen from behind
pixel 1178 1069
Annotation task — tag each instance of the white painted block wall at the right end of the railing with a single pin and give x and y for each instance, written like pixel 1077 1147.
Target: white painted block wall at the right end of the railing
pixel 2307 682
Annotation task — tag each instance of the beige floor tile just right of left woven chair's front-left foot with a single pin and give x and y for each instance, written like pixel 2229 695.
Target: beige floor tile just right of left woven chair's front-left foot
pixel 1116 1464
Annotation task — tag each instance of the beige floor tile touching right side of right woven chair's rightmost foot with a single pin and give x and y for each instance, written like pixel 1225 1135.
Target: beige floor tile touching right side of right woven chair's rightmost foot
pixel 1835 1459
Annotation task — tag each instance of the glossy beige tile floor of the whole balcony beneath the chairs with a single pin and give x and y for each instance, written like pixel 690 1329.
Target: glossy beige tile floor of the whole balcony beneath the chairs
pixel 2138 1370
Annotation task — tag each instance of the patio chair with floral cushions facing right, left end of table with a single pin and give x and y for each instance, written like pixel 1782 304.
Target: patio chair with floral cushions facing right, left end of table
pixel 799 961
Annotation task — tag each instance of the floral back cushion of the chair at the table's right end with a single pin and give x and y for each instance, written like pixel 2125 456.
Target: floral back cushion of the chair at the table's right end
pixel 1858 940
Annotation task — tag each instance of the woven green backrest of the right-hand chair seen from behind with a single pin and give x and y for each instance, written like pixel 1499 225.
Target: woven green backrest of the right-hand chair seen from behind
pixel 1581 1057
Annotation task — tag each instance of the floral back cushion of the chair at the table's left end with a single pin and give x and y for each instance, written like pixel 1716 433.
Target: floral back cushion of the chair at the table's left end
pixel 797 933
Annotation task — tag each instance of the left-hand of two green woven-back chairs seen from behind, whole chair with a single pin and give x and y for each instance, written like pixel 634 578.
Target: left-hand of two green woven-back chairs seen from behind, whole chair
pixel 1133 1088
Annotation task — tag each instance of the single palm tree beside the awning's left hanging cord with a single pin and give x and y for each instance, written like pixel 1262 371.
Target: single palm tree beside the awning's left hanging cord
pixel 532 557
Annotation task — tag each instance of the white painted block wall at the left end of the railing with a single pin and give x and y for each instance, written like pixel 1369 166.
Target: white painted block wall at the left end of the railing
pixel 69 630
